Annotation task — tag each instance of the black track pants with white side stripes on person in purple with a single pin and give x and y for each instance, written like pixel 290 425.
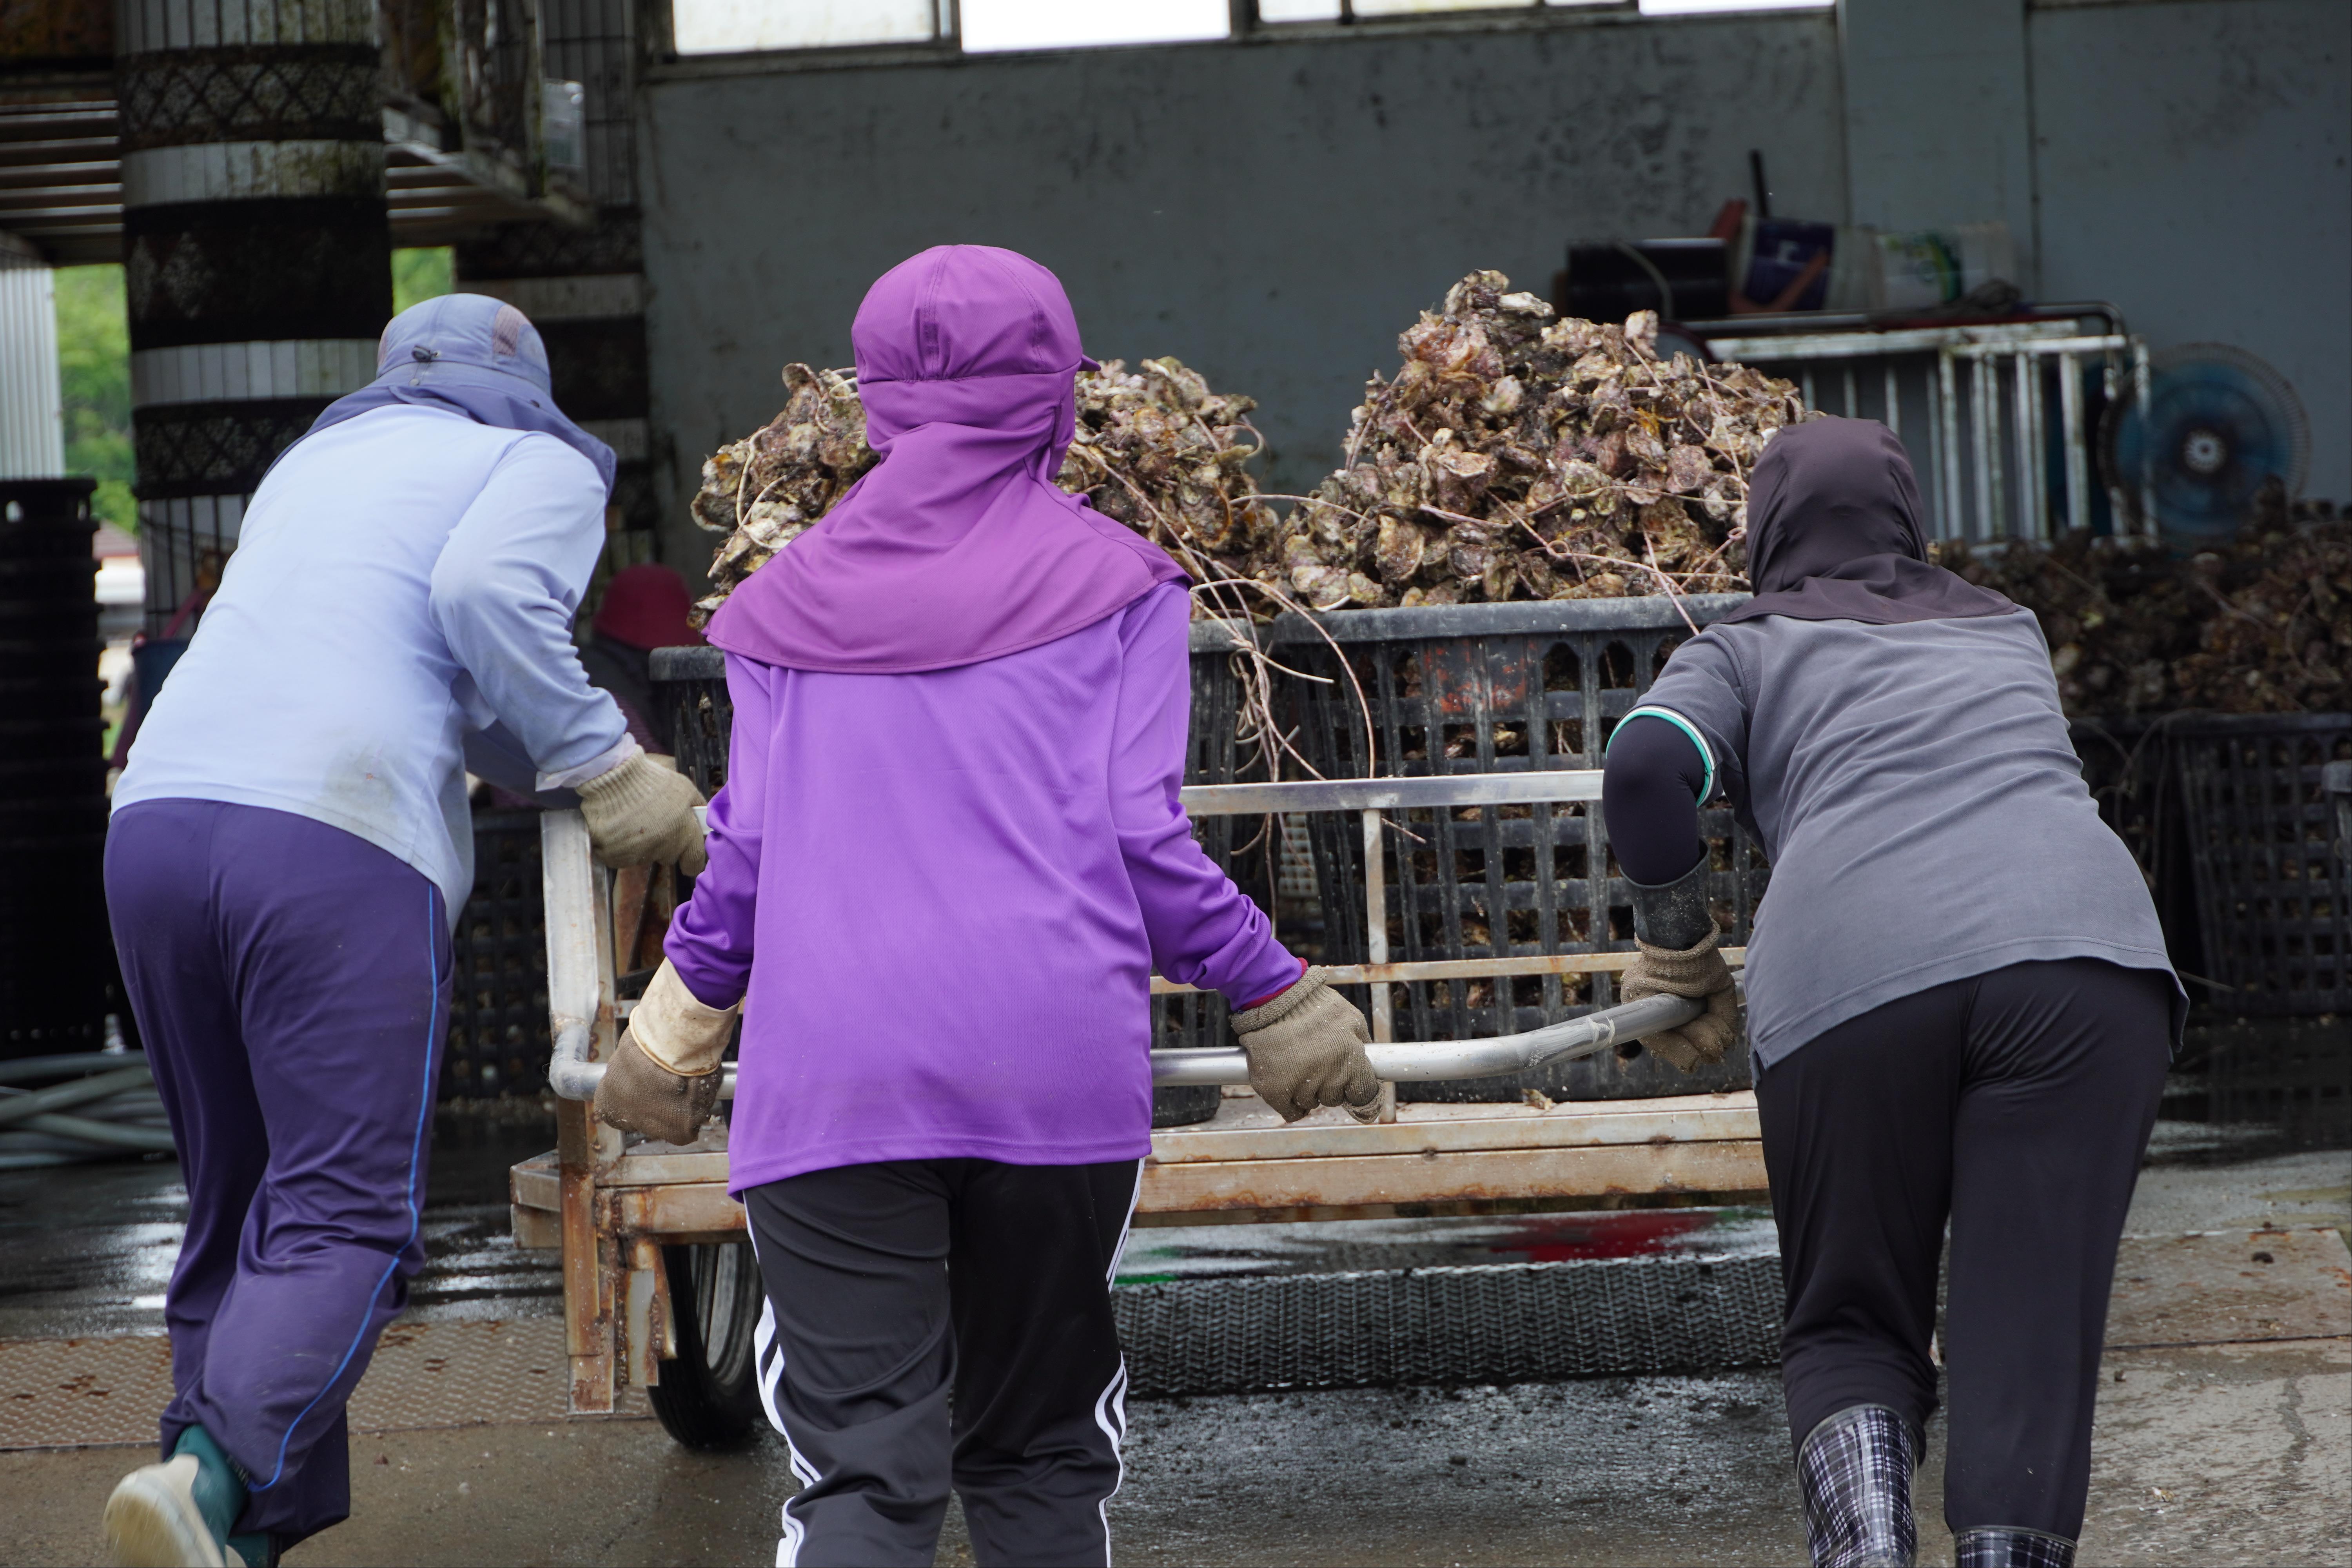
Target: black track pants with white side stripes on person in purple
pixel 944 1322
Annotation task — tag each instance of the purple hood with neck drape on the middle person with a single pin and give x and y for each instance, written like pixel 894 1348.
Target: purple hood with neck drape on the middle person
pixel 956 547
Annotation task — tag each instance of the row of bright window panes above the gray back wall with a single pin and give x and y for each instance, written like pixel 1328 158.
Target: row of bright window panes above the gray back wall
pixel 984 27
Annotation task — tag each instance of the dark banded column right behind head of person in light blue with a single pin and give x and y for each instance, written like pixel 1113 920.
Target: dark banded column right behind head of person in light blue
pixel 584 288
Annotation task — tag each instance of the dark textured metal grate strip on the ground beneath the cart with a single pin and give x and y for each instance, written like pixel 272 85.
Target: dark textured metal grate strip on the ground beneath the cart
pixel 1521 1322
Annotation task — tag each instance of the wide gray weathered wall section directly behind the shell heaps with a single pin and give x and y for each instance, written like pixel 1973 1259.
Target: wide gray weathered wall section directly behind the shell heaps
pixel 1269 213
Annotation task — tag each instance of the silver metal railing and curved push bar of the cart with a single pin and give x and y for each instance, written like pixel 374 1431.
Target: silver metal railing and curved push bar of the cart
pixel 582 979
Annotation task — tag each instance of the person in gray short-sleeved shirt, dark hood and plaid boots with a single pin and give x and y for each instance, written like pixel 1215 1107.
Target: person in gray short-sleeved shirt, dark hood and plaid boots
pixel 1958 998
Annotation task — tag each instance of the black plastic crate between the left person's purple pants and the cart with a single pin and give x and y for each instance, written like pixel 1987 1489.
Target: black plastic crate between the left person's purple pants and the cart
pixel 500 1040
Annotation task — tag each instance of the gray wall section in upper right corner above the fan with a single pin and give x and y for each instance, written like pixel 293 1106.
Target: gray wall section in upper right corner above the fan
pixel 2191 168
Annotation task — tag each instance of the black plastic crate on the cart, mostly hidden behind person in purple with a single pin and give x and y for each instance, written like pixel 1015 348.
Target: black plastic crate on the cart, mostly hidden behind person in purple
pixel 695 685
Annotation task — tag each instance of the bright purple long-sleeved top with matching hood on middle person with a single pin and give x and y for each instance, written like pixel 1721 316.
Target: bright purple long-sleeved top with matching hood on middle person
pixel 949 859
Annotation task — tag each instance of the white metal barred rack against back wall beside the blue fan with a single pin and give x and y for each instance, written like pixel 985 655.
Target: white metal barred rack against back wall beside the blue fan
pixel 1986 401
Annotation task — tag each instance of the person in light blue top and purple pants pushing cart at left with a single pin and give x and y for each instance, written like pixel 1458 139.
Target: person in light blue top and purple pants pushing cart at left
pixel 286 866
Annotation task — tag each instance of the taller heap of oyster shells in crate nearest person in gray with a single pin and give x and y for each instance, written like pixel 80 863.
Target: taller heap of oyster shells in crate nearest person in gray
pixel 1528 457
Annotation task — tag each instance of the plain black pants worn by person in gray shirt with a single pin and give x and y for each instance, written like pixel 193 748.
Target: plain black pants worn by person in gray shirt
pixel 2014 1104
